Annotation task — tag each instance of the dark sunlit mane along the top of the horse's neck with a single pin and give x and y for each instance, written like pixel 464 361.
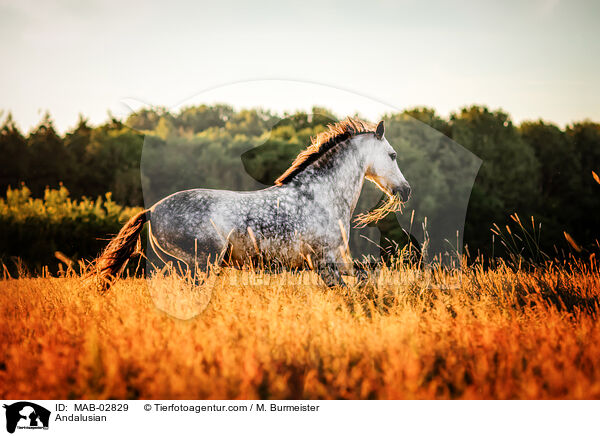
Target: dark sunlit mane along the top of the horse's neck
pixel 335 134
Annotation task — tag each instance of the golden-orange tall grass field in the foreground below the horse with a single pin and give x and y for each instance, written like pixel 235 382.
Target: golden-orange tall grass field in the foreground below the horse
pixel 500 335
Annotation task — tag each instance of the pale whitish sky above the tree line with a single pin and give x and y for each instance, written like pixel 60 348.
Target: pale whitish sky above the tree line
pixel 532 59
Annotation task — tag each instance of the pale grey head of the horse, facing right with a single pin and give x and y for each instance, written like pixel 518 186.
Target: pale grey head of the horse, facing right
pixel 382 167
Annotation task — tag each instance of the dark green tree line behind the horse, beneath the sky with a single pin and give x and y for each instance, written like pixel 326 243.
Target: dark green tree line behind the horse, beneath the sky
pixel 535 169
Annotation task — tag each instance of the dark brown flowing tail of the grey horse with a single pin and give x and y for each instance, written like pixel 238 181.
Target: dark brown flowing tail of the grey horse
pixel 107 267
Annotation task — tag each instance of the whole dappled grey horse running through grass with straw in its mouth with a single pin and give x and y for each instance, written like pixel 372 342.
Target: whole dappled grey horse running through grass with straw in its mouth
pixel 304 218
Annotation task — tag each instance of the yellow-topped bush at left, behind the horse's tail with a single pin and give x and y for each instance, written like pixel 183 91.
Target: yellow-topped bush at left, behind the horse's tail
pixel 56 229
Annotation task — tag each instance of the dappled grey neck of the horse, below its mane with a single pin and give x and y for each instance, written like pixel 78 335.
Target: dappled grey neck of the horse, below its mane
pixel 339 185
